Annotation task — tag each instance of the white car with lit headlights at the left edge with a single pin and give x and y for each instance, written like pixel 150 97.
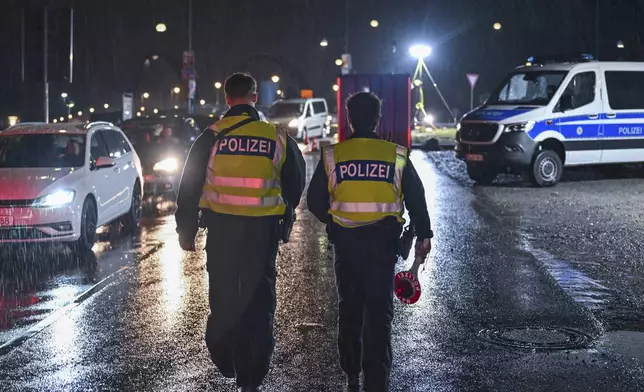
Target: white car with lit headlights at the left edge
pixel 60 182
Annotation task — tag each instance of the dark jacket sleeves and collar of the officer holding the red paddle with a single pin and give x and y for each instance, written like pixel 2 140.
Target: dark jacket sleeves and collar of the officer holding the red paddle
pixel 412 187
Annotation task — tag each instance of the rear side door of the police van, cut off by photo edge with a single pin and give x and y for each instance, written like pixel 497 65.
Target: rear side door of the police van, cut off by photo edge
pixel 624 111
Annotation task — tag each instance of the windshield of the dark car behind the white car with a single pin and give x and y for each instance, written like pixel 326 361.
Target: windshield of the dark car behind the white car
pixel 143 133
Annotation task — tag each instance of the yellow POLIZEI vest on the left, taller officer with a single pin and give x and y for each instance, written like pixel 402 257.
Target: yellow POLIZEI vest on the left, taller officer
pixel 244 170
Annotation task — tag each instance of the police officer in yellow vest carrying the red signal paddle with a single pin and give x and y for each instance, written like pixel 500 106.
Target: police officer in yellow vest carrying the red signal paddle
pixel 358 190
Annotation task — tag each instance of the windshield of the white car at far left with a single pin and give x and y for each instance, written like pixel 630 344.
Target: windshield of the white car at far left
pixel 42 150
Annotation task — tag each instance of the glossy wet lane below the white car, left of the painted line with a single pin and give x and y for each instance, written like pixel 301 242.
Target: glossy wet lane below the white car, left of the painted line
pixel 37 283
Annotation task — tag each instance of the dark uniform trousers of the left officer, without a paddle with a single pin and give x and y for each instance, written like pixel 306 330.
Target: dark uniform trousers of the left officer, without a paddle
pixel 241 255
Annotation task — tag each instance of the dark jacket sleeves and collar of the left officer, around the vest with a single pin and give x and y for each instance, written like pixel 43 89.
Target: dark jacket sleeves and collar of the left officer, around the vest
pixel 195 170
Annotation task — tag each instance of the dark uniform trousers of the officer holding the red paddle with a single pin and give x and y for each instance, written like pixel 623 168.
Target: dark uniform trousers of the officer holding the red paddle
pixel 365 258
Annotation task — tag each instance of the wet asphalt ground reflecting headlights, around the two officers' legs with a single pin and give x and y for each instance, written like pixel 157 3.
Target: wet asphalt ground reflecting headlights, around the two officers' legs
pixel 568 257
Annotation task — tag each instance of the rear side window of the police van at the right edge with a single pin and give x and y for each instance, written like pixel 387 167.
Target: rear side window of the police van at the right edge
pixel 625 89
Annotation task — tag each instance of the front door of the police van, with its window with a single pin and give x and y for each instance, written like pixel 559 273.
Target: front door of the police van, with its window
pixel 580 107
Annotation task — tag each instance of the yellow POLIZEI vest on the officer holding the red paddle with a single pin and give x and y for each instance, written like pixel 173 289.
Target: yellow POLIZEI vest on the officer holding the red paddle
pixel 365 180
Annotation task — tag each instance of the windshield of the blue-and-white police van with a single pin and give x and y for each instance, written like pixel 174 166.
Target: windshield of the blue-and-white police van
pixel 528 88
